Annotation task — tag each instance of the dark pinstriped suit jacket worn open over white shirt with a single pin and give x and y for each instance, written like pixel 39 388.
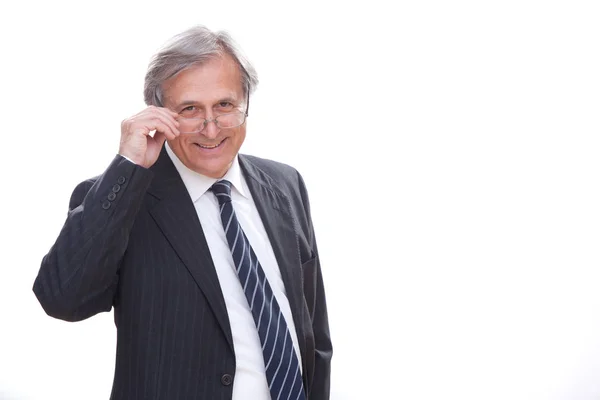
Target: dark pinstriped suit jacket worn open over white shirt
pixel 133 241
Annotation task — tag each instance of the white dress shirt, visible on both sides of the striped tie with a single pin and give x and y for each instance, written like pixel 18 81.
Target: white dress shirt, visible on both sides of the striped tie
pixel 250 380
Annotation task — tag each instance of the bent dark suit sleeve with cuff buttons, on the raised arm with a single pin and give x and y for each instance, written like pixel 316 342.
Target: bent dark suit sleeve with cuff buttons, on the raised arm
pixel 78 277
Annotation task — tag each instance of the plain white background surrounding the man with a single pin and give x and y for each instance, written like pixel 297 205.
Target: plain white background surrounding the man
pixel 450 149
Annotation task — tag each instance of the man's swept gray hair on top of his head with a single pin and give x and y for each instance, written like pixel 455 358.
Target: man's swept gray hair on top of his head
pixel 190 48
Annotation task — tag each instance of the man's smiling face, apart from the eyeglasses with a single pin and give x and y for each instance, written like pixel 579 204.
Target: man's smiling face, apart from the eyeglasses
pixel 208 90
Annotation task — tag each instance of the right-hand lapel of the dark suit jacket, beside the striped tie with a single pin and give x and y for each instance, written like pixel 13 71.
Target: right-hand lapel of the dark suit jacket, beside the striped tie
pixel 275 211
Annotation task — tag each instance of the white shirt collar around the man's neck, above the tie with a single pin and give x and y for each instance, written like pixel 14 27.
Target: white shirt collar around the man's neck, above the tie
pixel 197 184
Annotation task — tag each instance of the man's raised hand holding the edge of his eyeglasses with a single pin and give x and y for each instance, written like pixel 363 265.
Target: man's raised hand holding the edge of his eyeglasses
pixel 136 142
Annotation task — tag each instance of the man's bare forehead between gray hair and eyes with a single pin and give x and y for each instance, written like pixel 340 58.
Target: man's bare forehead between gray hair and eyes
pixel 215 79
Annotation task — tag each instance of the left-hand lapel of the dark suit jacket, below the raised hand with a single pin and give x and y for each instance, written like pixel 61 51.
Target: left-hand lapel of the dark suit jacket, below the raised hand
pixel 177 218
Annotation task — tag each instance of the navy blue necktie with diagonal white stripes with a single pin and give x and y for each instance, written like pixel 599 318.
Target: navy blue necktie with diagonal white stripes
pixel 281 363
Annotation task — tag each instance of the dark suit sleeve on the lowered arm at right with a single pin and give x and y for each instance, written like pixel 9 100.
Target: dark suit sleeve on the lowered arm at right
pixel 320 322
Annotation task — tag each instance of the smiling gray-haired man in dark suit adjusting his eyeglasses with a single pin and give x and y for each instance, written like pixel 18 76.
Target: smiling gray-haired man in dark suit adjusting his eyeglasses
pixel 208 256
